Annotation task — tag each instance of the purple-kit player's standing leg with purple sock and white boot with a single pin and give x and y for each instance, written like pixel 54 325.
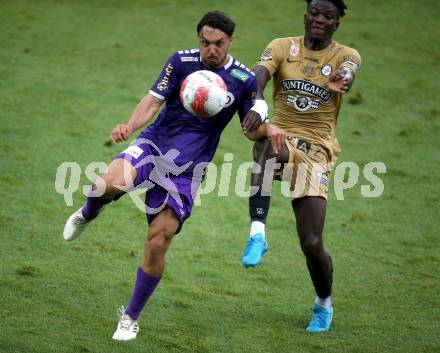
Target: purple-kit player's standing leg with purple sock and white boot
pixel 160 235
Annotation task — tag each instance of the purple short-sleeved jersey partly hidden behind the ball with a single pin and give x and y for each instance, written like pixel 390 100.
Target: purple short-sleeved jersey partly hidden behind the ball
pixel 175 128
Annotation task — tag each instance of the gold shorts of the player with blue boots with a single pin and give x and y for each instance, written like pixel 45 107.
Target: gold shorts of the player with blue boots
pixel 308 169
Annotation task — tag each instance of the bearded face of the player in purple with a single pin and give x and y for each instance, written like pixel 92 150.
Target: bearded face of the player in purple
pixel 214 46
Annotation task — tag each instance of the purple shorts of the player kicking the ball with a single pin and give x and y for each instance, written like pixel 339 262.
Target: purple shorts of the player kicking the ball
pixel 165 182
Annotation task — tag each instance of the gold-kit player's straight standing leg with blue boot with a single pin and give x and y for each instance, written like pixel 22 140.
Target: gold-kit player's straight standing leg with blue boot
pixel 310 217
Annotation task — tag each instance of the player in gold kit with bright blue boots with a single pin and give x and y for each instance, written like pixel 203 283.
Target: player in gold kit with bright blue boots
pixel 310 75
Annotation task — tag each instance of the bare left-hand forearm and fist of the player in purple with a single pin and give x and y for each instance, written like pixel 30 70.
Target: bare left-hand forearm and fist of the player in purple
pixel 144 111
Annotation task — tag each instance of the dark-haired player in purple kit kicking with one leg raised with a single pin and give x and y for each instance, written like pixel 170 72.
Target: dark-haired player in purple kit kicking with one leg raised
pixel 174 149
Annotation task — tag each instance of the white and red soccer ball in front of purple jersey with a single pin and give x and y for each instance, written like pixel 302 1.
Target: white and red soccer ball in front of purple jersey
pixel 203 93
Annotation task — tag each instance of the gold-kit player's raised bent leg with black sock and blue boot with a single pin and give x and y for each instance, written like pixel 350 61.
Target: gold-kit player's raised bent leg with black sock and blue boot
pixel 259 203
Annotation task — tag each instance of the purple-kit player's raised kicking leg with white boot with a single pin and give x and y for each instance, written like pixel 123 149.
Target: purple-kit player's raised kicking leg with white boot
pixel 119 175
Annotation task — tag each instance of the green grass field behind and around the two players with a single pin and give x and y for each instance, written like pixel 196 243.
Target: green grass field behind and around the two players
pixel 69 71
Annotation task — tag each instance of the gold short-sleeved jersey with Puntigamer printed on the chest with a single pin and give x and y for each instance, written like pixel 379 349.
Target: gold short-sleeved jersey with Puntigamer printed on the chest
pixel 303 104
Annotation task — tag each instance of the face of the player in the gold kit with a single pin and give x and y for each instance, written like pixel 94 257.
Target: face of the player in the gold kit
pixel 321 20
